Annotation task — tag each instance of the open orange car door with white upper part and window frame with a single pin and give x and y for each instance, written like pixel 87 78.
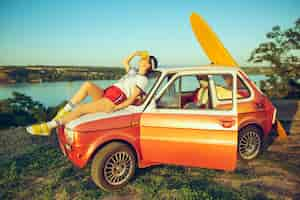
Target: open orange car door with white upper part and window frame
pixel 200 137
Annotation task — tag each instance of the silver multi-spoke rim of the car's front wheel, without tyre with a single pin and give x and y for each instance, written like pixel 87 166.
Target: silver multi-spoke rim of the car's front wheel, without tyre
pixel 118 168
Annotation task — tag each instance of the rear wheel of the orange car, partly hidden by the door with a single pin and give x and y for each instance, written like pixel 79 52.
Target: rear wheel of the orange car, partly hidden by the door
pixel 250 142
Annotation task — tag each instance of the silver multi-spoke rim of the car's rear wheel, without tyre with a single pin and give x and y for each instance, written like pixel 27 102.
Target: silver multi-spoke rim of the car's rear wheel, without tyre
pixel 249 145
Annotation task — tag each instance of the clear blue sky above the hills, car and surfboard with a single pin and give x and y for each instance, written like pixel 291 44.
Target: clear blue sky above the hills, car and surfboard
pixel 96 32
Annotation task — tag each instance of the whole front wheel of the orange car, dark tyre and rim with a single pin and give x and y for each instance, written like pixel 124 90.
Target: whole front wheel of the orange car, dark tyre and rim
pixel 113 166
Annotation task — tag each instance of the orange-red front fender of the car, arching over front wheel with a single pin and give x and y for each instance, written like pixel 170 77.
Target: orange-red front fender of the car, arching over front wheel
pixel 87 143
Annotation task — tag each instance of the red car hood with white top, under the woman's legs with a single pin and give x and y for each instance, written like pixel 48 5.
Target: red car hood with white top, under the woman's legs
pixel 104 121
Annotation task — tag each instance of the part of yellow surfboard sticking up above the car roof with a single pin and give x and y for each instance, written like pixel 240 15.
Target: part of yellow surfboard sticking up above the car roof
pixel 210 42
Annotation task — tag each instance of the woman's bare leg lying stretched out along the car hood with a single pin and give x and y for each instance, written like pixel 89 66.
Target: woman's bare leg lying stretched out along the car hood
pixel 100 105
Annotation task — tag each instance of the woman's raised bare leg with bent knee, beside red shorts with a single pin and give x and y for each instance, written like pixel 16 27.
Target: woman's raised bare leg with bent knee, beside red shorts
pixel 87 89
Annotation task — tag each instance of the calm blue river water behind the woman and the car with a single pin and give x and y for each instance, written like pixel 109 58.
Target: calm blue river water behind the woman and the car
pixel 51 94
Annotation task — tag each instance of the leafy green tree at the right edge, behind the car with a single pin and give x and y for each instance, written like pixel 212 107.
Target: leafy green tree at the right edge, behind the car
pixel 281 51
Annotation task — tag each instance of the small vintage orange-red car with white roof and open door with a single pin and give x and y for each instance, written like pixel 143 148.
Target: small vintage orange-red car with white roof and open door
pixel 204 116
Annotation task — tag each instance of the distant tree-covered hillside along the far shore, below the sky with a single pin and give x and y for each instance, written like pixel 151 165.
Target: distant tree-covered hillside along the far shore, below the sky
pixel 32 74
